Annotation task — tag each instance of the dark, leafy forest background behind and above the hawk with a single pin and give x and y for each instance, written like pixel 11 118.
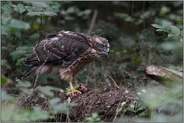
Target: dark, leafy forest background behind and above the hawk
pixel 127 25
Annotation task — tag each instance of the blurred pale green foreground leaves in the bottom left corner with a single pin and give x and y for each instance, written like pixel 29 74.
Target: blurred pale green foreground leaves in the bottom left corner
pixel 10 105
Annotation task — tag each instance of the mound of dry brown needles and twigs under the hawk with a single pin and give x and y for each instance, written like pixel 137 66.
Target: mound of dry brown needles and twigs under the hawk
pixel 105 101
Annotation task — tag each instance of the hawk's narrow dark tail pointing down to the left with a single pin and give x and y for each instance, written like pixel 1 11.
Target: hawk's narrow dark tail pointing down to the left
pixel 26 73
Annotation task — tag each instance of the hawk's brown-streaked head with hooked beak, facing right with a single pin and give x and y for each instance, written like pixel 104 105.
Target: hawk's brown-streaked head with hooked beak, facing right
pixel 101 45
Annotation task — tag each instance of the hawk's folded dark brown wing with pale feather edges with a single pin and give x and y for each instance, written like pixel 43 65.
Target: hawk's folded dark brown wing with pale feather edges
pixel 59 49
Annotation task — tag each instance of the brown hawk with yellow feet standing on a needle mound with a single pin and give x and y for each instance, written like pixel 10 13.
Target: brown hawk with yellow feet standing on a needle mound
pixel 65 53
